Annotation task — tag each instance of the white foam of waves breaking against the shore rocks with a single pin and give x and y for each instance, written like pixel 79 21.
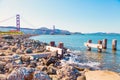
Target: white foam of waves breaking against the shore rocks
pixel 80 61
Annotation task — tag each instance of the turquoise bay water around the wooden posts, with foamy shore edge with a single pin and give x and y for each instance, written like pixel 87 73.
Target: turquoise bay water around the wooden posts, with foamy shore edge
pixel 108 59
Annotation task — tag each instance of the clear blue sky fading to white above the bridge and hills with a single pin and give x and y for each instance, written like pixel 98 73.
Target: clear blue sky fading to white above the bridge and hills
pixel 73 15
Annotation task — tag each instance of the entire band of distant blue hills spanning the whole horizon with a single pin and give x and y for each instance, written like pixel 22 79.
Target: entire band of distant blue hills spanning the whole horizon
pixel 44 30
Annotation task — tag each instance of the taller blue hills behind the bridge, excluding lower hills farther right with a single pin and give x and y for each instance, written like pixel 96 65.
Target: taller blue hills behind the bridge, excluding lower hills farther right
pixel 42 30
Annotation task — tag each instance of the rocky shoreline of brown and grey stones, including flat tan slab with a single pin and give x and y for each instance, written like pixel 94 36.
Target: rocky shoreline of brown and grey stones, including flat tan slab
pixel 24 59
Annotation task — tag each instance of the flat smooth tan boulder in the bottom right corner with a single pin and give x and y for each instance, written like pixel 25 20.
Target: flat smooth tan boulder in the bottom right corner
pixel 102 75
